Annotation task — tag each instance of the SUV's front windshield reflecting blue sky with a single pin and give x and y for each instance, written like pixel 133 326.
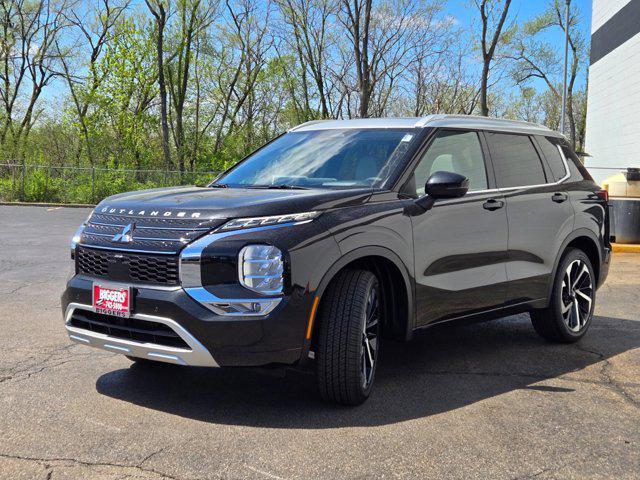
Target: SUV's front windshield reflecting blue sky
pixel 347 158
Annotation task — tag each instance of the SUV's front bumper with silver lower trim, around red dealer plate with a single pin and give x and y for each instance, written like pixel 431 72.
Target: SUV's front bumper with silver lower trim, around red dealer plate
pixel 213 340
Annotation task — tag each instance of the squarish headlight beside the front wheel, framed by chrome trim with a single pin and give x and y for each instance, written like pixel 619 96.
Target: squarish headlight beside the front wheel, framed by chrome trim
pixel 260 269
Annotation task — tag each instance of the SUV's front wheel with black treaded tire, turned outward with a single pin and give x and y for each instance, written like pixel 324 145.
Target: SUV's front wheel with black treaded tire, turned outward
pixel 348 346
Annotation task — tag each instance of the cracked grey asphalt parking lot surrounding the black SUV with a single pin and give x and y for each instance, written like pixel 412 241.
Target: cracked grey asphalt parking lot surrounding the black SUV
pixel 487 401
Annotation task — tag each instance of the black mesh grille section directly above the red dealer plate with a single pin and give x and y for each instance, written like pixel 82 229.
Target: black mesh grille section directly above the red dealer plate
pixel 128 267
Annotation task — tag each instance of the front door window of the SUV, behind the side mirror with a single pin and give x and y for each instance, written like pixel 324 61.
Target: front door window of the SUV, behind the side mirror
pixel 453 151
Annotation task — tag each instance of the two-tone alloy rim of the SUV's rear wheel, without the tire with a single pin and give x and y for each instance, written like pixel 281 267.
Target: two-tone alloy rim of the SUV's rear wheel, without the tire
pixel 576 295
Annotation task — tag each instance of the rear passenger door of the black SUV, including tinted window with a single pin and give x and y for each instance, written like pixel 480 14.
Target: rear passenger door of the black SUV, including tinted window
pixel 539 213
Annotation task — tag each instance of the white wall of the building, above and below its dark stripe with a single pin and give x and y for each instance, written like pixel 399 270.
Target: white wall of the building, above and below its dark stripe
pixel 613 112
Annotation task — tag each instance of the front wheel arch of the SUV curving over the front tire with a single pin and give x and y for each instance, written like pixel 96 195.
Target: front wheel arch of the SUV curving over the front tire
pixel 395 280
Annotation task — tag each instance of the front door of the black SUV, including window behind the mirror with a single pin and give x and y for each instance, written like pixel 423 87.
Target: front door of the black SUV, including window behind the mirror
pixel 460 245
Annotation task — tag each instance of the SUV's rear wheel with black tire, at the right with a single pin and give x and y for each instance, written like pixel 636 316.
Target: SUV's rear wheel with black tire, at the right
pixel 570 310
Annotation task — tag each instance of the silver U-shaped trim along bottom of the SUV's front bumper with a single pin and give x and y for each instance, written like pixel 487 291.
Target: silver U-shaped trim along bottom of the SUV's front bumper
pixel 198 355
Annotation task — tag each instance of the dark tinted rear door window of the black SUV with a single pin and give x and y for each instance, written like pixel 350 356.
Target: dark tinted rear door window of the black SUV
pixel 515 160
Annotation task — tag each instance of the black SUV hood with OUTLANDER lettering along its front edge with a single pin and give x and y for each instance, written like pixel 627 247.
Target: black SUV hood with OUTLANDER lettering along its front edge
pixel 212 203
